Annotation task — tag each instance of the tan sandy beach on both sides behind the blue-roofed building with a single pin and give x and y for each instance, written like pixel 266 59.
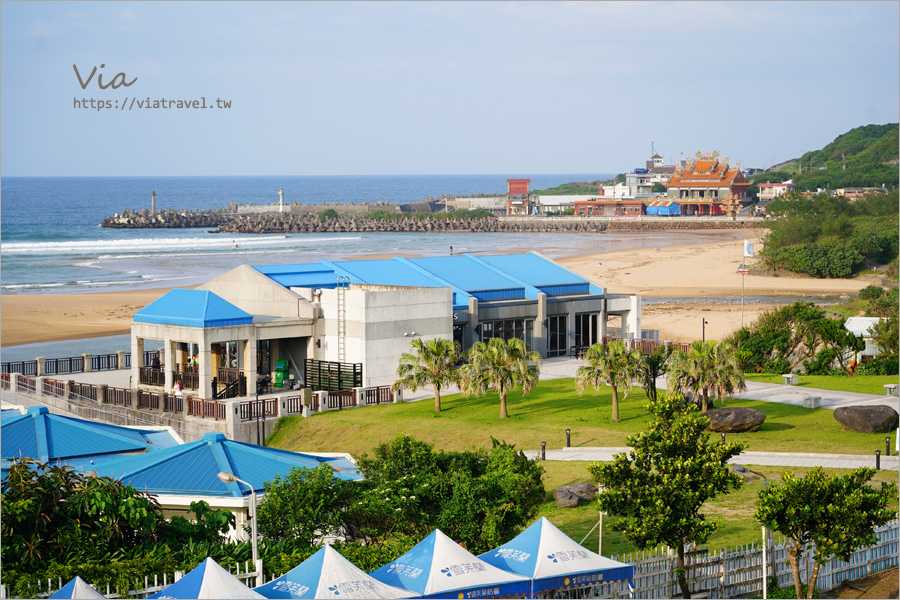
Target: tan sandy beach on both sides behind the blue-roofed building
pixel 702 270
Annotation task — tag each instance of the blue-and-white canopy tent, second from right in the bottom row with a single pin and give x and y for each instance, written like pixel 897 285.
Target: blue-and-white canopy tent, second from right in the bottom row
pixel 438 567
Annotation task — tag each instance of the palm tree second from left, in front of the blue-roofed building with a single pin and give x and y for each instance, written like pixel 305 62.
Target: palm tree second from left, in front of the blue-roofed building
pixel 501 365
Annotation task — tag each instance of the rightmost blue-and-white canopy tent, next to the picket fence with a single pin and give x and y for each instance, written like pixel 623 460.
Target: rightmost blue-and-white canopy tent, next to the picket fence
pixel 553 560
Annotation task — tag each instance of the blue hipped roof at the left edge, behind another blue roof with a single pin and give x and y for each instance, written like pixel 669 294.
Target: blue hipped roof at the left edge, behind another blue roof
pixel 43 436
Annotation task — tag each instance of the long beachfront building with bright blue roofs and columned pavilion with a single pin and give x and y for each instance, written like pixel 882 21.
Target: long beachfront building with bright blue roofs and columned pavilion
pixel 364 313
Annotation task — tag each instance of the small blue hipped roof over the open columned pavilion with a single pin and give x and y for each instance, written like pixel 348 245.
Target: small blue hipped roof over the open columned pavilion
pixel 192 308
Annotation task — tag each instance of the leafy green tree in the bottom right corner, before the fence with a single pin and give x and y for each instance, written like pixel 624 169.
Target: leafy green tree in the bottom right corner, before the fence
pixel 837 513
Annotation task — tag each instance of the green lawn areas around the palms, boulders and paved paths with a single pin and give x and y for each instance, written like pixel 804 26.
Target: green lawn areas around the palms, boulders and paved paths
pixel 554 406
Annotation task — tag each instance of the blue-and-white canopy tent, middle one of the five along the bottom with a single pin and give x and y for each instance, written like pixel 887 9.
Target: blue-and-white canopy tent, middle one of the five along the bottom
pixel 327 574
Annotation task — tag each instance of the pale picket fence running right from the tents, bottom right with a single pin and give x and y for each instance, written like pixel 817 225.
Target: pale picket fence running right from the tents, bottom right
pixel 739 571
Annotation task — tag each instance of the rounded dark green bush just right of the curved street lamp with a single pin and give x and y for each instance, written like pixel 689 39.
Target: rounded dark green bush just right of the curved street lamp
pixel 304 505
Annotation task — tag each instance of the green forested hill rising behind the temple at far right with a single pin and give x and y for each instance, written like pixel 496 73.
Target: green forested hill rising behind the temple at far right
pixel 863 157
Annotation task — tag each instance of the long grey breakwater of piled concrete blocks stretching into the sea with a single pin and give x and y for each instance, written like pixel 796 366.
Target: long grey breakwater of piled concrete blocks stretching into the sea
pixel 227 220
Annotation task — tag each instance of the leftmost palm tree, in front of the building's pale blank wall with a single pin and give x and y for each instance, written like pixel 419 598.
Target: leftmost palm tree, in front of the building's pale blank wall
pixel 431 363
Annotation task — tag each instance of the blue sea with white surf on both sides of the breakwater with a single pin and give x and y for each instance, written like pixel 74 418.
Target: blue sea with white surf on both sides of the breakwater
pixel 52 241
